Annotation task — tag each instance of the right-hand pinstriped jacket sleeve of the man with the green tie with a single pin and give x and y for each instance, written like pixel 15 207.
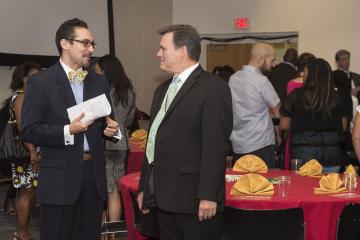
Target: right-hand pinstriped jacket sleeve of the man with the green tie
pixel 216 129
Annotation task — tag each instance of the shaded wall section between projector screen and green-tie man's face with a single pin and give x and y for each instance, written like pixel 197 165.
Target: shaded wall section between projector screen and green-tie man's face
pixel 137 41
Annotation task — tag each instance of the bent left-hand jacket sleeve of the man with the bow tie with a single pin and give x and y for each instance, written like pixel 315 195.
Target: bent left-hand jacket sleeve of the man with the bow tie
pixel 34 127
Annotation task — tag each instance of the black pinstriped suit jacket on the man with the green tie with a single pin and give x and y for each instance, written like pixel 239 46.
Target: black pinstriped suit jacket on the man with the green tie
pixel 191 144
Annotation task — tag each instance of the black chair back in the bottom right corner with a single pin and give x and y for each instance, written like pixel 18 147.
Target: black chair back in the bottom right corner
pixel 349 223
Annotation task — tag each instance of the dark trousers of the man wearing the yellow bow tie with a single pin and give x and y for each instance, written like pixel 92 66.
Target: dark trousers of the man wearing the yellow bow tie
pixel 78 221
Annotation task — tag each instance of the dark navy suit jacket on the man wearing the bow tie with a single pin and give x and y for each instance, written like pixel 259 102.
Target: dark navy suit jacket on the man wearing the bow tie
pixel 44 115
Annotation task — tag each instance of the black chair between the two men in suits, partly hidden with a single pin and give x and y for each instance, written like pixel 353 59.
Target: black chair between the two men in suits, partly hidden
pixel 146 224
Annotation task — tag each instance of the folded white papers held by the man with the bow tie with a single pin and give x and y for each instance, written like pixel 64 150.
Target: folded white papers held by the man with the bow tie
pixel 93 108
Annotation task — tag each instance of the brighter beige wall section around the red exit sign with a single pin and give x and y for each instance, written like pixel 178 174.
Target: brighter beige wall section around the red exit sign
pixel 324 26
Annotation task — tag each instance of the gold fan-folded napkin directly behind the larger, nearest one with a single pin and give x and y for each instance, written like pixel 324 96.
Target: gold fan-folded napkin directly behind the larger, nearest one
pixel 250 163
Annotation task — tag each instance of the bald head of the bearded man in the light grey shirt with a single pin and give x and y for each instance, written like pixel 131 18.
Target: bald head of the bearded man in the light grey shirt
pixel 262 56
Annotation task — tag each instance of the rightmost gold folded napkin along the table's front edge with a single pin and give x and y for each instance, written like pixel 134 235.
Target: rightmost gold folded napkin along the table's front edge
pixel 330 184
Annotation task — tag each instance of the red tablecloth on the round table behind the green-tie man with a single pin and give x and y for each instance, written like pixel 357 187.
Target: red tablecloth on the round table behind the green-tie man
pixel 321 212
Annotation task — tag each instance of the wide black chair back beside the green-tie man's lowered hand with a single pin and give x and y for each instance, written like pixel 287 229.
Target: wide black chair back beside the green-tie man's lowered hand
pixel 243 224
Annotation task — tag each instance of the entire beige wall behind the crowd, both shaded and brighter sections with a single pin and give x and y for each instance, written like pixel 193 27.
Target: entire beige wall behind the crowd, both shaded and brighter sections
pixel 324 26
